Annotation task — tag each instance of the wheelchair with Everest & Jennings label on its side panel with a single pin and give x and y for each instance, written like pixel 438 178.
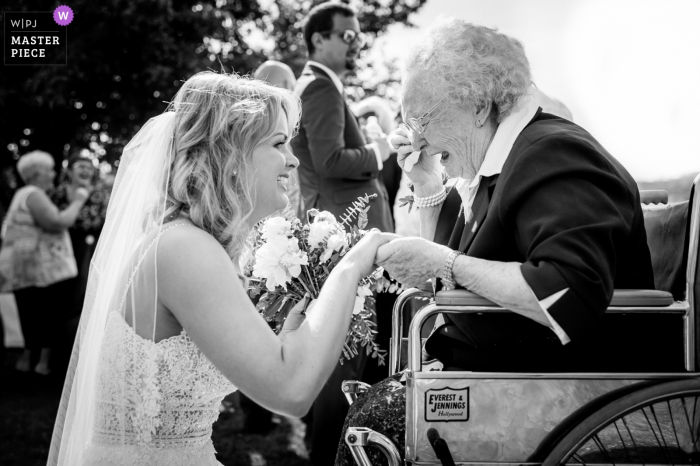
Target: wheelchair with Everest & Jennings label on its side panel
pixel 641 417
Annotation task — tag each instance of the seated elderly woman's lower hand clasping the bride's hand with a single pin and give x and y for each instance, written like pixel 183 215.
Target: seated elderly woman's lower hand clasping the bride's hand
pixel 412 261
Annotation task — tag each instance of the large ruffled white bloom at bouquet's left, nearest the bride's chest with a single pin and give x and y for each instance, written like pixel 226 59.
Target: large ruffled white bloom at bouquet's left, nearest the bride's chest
pixel 278 260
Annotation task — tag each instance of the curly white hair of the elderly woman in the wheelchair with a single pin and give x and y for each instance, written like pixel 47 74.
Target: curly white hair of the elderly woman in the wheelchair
pixel 473 64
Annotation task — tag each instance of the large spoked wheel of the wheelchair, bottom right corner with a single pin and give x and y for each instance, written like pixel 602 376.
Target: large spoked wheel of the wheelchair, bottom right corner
pixel 655 425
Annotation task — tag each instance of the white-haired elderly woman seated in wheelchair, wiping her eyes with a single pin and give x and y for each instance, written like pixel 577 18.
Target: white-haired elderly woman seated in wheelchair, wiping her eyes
pixel 541 220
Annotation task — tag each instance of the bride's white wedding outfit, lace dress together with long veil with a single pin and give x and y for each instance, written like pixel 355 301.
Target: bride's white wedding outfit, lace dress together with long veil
pixel 130 400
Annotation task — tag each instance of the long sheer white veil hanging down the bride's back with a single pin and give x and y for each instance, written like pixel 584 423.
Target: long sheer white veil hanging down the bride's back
pixel 136 209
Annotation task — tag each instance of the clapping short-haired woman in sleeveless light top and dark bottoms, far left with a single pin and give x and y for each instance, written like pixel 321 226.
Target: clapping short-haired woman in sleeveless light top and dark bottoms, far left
pixel 37 258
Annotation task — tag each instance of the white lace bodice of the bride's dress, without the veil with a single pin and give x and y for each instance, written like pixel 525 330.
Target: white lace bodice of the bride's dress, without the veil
pixel 156 402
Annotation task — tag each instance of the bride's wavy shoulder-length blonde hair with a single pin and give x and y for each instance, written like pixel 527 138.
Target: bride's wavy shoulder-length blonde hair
pixel 220 119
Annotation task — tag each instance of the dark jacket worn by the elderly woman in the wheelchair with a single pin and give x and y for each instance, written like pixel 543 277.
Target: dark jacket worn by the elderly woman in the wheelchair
pixel 569 212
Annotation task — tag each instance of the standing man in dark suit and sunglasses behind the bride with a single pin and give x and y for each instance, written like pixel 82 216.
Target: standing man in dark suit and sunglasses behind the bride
pixel 337 165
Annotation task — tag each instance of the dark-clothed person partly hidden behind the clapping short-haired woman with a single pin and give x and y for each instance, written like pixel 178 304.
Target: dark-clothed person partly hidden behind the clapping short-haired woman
pixel 79 173
